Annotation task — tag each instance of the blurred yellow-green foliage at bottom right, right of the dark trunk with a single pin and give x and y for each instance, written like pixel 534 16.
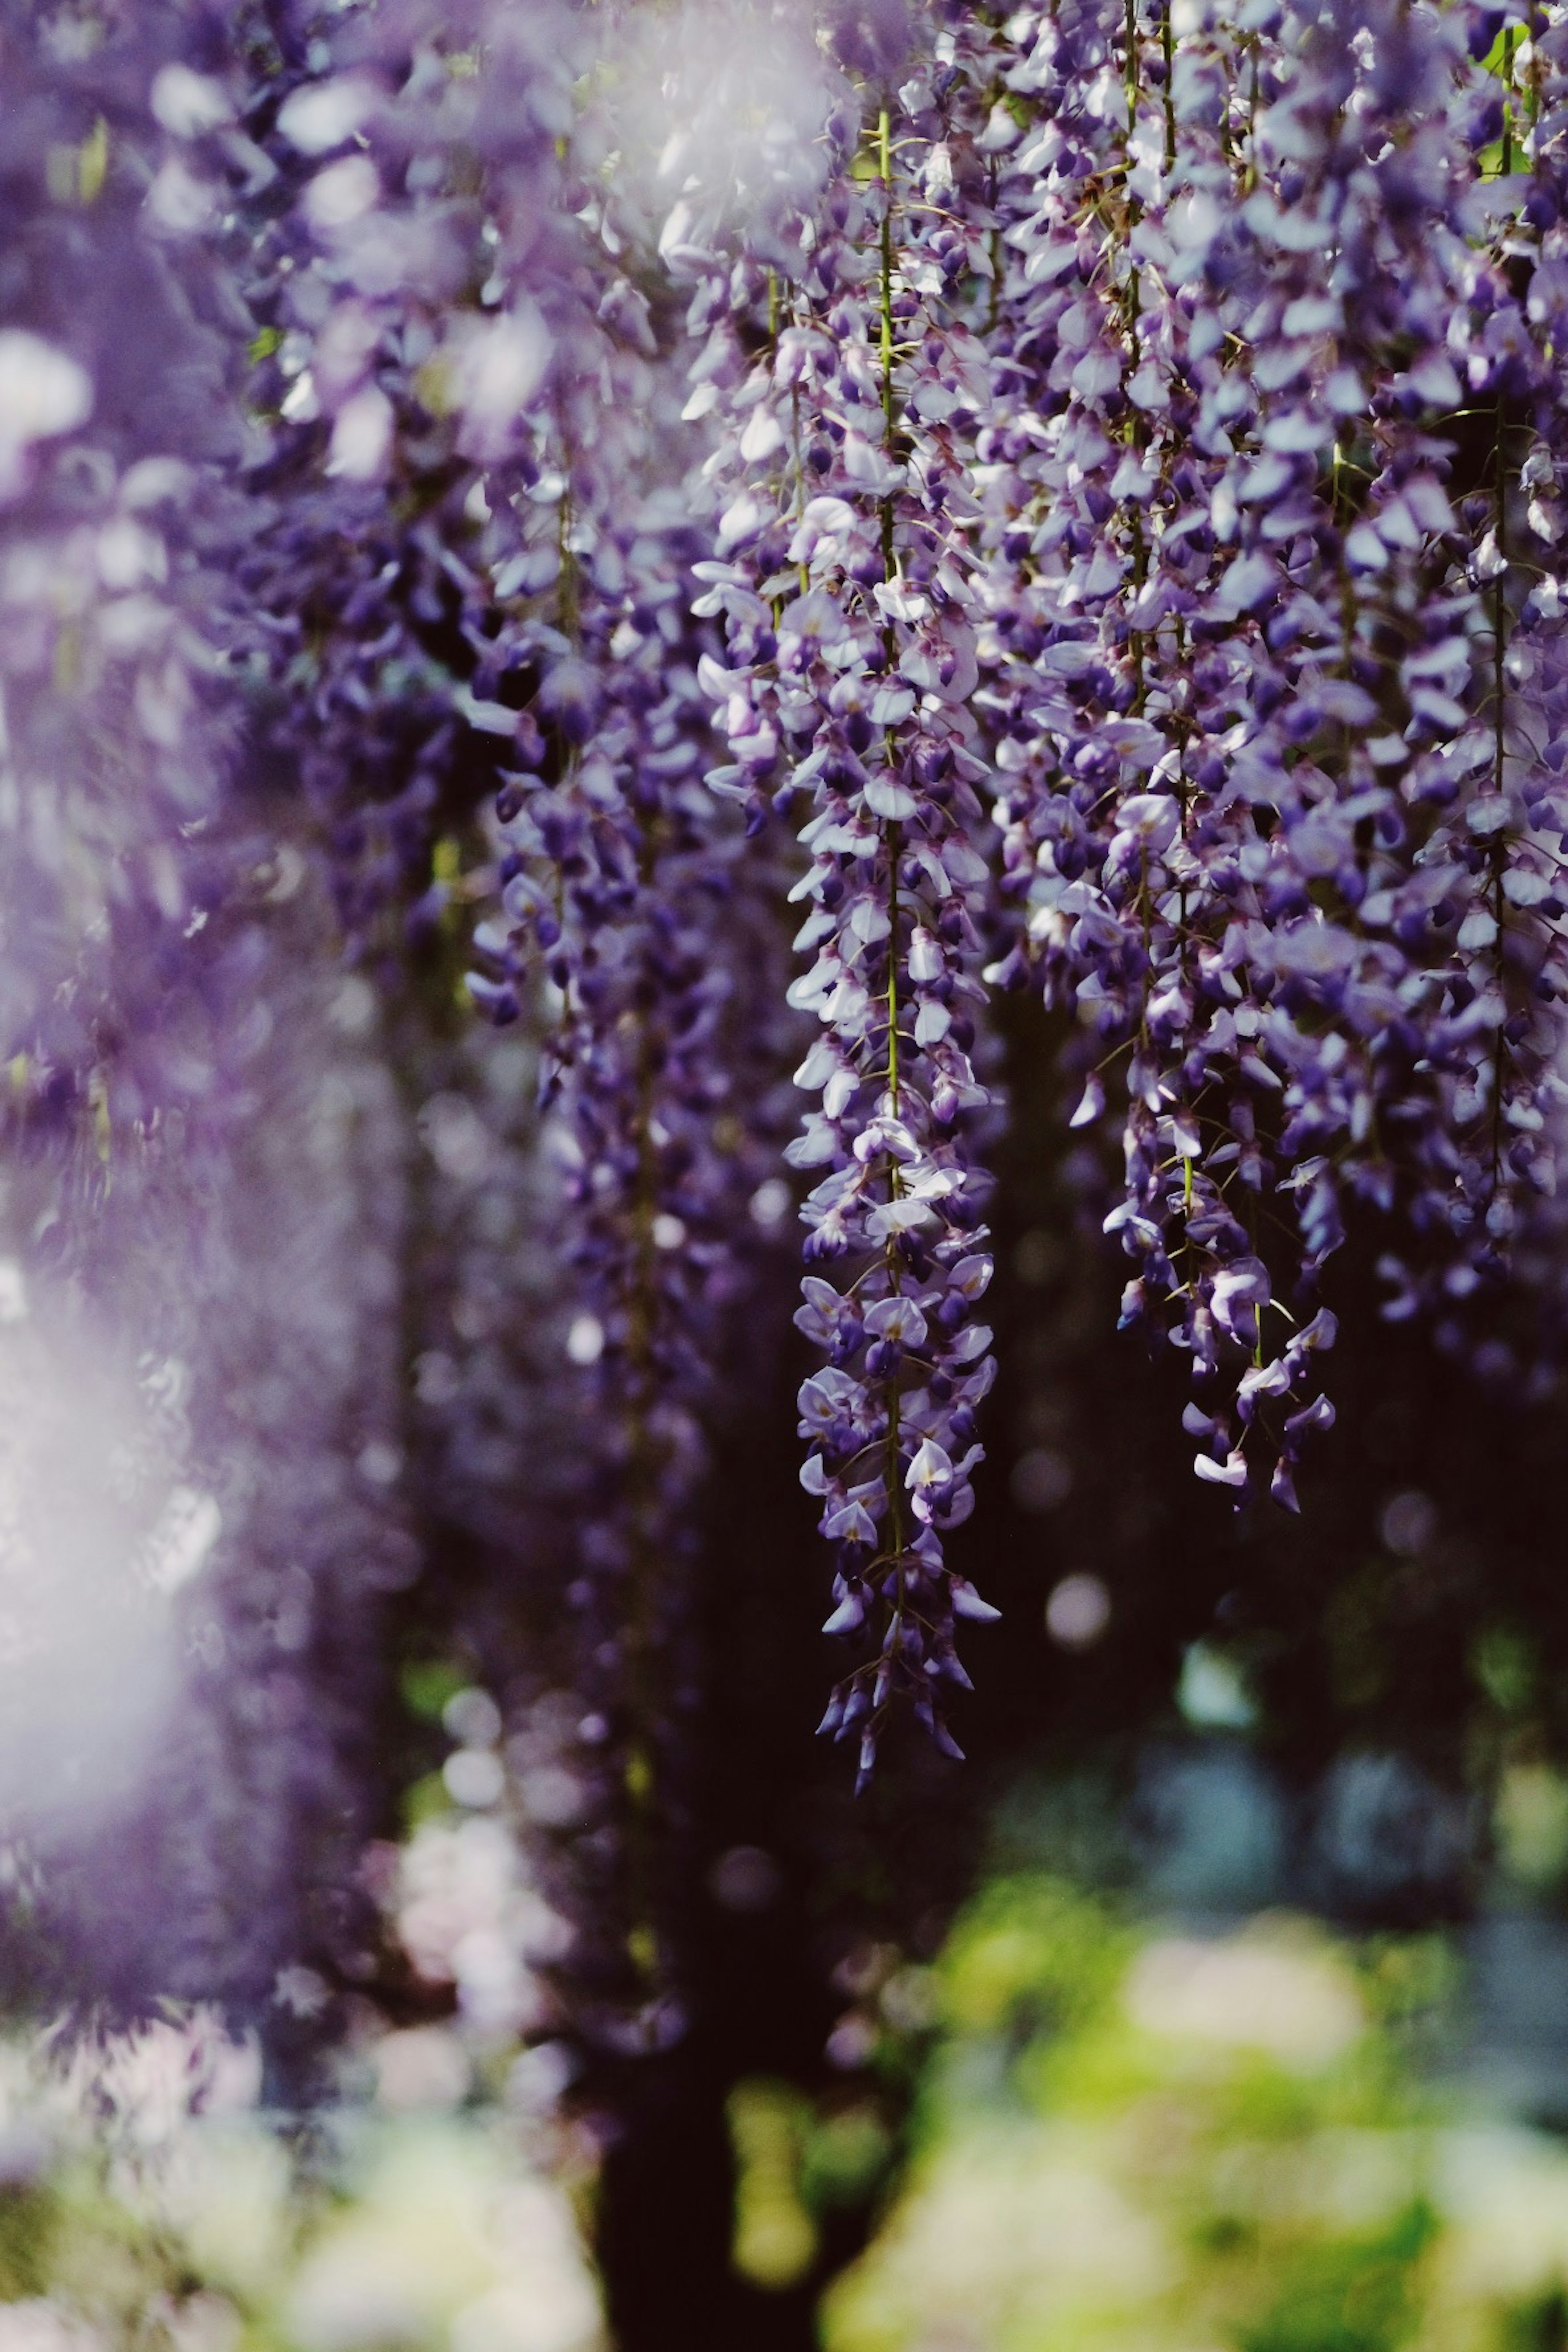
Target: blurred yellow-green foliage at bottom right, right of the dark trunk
pixel 1155 2141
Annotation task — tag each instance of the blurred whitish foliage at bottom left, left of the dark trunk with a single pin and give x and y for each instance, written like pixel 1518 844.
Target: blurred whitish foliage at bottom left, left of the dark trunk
pixel 152 2203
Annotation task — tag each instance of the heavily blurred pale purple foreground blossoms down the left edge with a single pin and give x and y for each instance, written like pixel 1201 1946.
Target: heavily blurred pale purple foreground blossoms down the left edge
pixel 203 1175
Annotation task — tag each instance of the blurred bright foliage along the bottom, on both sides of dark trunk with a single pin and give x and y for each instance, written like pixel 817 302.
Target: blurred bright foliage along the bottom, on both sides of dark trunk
pixel 1125 2130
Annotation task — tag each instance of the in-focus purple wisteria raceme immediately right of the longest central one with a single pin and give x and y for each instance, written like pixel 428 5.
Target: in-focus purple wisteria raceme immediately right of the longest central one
pixel 1104 479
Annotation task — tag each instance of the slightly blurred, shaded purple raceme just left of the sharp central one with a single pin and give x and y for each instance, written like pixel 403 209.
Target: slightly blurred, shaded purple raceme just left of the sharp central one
pixel 624 940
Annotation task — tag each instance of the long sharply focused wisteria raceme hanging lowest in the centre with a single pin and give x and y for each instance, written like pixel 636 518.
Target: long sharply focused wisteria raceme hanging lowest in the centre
pixel 845 575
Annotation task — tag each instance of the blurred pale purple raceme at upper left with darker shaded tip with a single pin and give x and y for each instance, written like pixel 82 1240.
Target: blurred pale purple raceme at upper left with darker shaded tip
pixel 410 260
